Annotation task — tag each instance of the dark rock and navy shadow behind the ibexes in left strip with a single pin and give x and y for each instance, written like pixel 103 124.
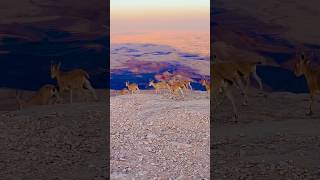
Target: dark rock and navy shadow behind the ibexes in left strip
pixel 34 33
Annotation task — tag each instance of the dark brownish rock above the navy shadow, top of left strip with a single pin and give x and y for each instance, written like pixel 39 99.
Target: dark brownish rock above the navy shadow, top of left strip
pixel 84 18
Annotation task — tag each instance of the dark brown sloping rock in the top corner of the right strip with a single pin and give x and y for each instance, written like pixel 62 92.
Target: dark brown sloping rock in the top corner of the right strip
pixel 294 19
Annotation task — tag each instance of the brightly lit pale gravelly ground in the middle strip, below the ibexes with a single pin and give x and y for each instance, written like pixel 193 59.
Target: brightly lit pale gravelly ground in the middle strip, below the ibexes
pixel 158 137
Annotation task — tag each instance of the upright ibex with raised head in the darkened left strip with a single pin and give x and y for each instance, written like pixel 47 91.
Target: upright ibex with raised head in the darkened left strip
pixel 72 80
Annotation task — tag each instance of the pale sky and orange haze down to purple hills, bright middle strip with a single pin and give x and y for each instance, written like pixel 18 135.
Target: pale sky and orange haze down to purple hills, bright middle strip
pixel 179 23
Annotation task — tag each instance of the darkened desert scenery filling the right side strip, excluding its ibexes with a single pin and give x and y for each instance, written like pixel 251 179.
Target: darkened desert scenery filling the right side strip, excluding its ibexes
pixel 273 137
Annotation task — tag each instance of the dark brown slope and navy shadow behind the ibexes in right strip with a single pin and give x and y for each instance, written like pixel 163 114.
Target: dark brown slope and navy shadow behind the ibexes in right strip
pixel 273 29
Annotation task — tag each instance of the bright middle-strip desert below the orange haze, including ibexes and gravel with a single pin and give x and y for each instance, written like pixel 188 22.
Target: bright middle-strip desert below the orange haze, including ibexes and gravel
pixel 158 133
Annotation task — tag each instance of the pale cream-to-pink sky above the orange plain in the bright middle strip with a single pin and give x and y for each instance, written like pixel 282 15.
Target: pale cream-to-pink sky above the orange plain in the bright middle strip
pixel 138 16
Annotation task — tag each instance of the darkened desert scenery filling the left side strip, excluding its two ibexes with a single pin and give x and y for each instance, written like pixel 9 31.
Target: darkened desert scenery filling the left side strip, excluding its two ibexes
pixel 63 140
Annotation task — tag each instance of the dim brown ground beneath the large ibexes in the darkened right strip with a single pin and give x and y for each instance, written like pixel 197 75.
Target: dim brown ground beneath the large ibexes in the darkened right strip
pixel 272 140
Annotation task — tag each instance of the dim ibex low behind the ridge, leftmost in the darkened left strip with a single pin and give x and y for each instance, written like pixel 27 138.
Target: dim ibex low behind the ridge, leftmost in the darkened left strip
pixel 47 94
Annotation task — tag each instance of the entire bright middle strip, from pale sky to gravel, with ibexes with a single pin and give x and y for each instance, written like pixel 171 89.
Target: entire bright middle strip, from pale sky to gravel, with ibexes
pixel 160 110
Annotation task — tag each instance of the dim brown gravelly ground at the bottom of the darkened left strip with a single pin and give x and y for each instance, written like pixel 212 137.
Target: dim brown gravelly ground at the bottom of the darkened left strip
pixel 65 141
